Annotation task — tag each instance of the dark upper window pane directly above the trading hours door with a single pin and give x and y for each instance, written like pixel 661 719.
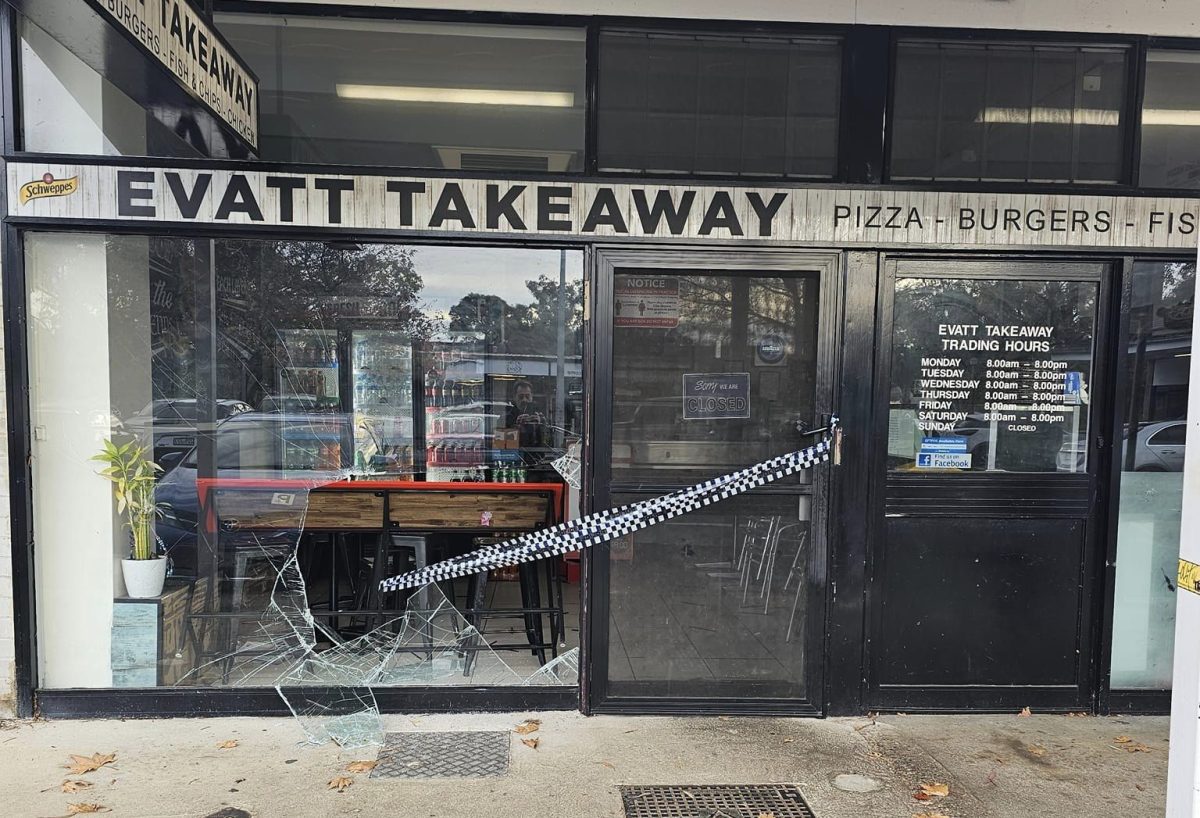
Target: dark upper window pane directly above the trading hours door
pixel 1009 112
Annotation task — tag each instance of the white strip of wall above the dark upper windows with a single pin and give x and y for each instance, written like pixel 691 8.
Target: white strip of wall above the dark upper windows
pixel 1157 17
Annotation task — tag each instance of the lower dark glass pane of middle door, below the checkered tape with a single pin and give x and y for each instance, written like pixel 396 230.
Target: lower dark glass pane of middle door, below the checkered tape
pixel 731 621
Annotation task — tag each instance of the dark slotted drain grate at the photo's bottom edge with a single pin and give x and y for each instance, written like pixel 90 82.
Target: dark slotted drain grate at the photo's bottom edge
pixel 715 802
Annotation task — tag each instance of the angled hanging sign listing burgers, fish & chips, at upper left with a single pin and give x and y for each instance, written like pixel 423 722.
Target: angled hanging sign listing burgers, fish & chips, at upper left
pixel 178 37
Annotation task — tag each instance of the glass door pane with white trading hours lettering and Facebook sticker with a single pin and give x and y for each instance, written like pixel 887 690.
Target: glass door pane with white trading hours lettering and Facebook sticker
pixel 991 375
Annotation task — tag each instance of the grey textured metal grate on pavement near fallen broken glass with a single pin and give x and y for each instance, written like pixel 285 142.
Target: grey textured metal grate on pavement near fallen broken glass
pixel 471 755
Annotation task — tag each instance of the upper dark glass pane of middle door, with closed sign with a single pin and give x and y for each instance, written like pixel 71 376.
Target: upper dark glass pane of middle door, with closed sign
pixel 713 328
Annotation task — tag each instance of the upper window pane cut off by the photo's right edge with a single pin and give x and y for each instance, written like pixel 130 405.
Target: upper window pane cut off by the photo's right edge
pixel 1171 117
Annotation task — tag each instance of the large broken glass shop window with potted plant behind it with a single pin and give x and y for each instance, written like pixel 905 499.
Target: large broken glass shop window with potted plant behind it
pixel 343 413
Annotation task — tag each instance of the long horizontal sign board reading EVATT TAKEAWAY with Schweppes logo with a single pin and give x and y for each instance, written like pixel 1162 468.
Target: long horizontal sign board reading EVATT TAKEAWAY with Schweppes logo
pixel 791 216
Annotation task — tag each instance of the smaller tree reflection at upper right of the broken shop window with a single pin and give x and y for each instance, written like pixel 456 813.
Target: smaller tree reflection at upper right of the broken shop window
pixel 524 328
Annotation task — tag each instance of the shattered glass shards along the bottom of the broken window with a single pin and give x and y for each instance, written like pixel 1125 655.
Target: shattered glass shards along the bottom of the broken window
pixel 326 681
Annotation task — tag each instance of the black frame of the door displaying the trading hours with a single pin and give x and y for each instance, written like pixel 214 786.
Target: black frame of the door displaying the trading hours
pixel 1107 272
